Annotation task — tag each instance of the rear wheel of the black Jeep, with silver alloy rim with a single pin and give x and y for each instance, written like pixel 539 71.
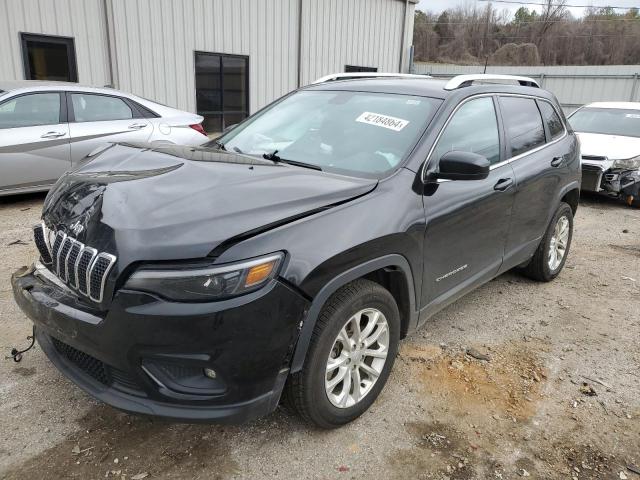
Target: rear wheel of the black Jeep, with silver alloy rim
pixel 552 252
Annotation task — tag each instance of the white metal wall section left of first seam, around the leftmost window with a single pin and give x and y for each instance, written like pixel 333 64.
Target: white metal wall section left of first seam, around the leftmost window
pixel 81 19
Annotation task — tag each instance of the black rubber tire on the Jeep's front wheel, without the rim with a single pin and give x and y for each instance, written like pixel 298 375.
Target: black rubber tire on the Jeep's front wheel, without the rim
pixel 305 390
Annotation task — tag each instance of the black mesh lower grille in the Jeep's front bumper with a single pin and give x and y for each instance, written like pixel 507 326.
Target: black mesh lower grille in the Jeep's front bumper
pixel 98 370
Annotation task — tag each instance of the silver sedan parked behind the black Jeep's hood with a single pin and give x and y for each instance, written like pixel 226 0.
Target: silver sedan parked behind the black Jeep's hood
pixel 47 128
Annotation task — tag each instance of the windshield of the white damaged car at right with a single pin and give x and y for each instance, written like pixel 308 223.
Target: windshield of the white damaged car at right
pixel 609 121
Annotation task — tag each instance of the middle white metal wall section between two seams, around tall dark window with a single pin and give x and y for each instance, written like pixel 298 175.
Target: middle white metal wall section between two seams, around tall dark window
pixel 155 41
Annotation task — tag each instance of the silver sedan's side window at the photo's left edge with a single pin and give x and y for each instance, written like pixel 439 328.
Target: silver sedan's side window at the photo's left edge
pixel 30 110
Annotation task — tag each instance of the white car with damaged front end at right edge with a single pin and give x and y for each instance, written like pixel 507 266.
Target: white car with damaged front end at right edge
pixel 609 134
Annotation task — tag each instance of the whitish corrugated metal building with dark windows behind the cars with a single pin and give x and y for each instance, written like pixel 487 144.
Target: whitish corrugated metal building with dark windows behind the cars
pixel 223 59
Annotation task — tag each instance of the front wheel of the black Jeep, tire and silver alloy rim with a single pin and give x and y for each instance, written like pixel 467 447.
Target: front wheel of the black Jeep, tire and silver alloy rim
pixel 350 356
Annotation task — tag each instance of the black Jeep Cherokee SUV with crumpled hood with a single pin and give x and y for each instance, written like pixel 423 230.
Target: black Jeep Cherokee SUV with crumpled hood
pixel 291 255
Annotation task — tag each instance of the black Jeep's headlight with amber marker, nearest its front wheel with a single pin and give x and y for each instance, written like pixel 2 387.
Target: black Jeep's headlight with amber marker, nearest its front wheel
pixel 207 283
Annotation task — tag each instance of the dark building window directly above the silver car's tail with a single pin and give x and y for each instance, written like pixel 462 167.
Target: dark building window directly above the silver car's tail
pixel 222 89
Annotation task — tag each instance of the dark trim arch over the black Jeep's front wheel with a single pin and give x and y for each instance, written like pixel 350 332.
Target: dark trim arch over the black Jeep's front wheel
pixel 387 271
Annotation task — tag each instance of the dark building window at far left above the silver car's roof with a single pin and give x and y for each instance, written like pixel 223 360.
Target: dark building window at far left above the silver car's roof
pixel 47 57
